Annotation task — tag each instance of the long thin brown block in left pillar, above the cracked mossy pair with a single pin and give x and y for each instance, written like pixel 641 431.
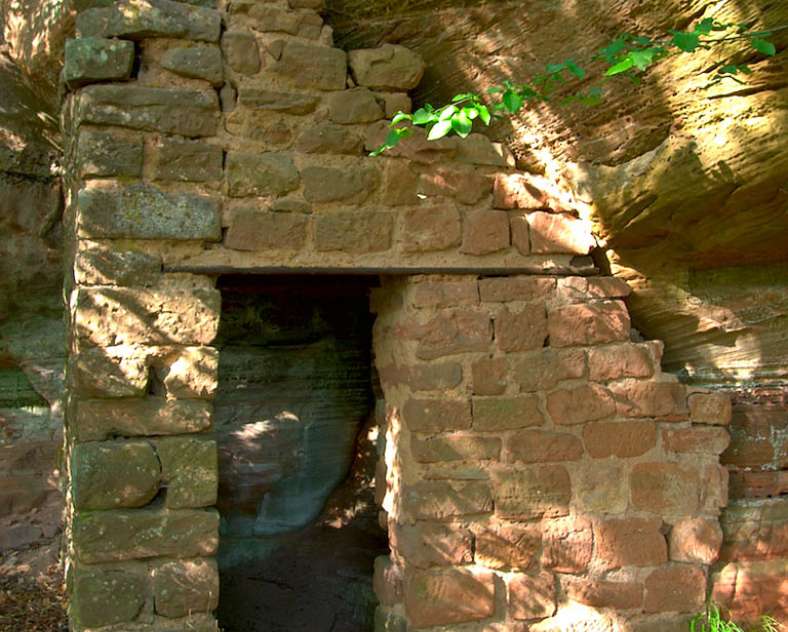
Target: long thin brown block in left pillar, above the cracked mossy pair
pixel 97 420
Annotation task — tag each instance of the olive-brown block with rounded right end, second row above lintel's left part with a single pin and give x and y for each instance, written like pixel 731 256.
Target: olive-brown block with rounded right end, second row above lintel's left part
pixel 253 174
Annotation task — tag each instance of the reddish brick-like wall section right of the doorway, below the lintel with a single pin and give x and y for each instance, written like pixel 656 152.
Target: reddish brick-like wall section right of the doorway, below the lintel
pixel 539 472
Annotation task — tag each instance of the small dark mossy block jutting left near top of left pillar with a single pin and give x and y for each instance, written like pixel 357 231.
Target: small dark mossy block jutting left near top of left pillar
pixel 91 59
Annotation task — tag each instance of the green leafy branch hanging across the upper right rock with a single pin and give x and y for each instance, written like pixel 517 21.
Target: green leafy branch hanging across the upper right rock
pixel 628 55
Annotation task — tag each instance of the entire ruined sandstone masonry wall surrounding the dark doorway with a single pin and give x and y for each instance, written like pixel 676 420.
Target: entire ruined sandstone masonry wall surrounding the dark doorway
pixel 539 471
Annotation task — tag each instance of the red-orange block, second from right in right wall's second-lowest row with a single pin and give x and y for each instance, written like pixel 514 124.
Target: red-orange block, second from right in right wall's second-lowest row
pixel 630 542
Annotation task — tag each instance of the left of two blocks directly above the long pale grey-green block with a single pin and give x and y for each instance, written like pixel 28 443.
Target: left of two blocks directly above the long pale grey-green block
pixel 106 154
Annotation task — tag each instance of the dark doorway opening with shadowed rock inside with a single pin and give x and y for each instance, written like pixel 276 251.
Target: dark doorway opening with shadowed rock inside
pixel 296 425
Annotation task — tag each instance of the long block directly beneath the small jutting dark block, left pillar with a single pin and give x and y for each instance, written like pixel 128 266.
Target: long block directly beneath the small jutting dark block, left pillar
pixel 172 111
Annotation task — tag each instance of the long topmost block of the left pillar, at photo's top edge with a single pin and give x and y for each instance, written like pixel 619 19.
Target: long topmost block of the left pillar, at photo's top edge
pixel 137 19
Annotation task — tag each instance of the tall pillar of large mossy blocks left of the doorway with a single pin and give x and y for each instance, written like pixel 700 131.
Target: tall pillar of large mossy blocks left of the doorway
pixel 142 462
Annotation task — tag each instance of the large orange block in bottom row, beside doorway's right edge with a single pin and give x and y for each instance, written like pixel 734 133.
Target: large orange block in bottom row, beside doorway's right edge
pixel 448 597
